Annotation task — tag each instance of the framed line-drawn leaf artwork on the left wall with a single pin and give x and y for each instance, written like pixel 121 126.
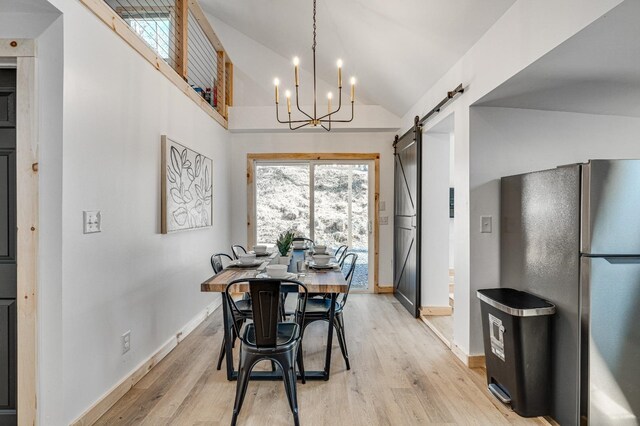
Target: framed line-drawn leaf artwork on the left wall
pixel 187 188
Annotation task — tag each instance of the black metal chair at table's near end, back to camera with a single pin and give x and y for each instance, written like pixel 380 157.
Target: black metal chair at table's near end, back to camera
pixel 268 338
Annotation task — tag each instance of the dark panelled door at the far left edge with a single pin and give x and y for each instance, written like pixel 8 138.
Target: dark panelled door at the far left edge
pixel 7 247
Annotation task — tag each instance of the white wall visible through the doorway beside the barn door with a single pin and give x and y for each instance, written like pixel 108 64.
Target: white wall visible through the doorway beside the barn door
pixel 435 219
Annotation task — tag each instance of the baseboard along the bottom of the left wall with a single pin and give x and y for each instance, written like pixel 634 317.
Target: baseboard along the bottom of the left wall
pixel 106 401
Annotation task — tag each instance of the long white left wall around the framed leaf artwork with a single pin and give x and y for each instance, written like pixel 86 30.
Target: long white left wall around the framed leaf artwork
pixel 100 121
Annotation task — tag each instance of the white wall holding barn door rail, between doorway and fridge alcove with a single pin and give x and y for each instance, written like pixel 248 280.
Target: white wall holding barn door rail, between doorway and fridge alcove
pixel 528 30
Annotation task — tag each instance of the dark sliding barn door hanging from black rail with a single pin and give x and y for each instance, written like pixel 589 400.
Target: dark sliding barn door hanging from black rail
pixel 406 247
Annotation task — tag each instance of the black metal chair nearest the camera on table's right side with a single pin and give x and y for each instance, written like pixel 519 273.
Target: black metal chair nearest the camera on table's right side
pixel 319 310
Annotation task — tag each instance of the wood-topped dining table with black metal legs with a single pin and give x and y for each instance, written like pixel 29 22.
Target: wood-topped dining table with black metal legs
pixel 328 281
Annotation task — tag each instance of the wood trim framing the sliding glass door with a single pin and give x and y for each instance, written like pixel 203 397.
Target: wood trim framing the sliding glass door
pixel 251 200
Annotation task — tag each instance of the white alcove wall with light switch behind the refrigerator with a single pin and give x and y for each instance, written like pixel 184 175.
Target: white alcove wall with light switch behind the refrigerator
pixel 508 141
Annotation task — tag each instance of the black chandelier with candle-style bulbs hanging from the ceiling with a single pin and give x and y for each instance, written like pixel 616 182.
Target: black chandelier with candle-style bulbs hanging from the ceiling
pixel 314 120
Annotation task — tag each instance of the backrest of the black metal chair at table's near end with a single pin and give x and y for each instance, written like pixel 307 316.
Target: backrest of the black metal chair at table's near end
pixel 265 294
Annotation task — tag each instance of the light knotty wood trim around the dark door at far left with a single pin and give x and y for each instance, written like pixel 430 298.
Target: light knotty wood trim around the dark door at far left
pixel 27 224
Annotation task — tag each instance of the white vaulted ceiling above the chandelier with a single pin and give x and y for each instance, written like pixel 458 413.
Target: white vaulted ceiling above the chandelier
pixel 396 49
